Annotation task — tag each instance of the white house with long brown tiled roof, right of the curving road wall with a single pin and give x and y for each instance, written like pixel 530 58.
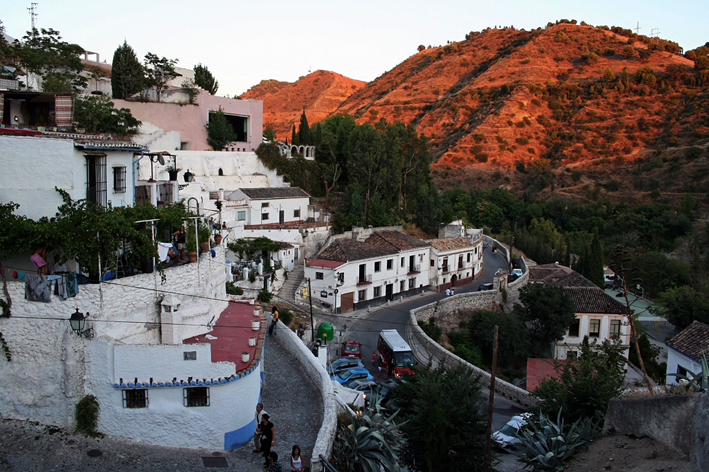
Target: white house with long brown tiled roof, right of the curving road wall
pixel 598 315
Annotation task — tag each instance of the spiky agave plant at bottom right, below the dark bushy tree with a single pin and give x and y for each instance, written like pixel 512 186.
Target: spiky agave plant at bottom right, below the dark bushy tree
pixel 544 445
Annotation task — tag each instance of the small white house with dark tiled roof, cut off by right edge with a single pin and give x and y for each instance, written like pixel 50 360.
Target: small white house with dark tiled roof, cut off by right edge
pixel 686 349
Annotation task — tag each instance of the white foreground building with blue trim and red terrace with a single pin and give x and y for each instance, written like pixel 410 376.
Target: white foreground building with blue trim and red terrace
pixel 157 375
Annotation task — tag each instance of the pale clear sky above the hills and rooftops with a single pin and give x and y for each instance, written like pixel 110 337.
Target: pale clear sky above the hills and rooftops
pixel 243 42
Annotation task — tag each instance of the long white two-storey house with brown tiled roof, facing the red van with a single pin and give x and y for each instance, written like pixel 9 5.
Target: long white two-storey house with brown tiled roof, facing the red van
pixel 367 267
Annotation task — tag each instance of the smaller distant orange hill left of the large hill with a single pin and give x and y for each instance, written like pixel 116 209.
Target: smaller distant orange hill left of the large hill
pixel 318 93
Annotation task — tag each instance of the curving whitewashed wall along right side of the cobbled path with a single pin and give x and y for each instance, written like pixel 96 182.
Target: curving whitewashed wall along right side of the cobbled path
pixel 319 377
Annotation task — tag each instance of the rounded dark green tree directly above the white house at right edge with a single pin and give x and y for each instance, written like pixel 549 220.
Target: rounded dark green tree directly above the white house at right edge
pixel 681 306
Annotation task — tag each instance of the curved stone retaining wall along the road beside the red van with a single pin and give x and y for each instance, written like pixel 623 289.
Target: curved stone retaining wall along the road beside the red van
pixel 427 349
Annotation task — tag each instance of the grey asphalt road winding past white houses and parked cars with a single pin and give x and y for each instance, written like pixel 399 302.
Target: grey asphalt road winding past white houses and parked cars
pixel 366 330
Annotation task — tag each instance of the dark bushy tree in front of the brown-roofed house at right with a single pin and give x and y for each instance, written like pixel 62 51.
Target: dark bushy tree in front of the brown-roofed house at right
pixel 586 384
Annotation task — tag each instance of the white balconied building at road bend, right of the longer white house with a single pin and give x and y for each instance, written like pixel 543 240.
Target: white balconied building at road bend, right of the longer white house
pixel 455 261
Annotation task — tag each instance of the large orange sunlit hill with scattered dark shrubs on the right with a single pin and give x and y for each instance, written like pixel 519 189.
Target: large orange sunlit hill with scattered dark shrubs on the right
pixel 506 102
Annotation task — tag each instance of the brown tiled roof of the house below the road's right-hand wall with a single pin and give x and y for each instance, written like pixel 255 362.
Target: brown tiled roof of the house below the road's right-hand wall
pixel 587 297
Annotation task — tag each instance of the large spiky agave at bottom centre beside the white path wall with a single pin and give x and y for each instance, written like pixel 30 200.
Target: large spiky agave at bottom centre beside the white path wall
pixel 368 441
